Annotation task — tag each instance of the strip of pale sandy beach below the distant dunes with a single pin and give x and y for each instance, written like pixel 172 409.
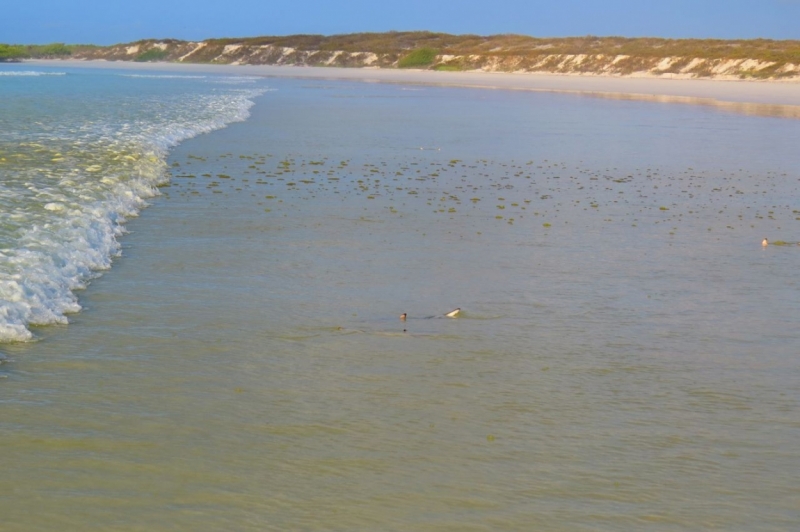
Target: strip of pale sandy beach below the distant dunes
pixel 760 98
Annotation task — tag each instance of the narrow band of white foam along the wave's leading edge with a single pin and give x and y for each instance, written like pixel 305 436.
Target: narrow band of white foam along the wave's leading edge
pixel 52 259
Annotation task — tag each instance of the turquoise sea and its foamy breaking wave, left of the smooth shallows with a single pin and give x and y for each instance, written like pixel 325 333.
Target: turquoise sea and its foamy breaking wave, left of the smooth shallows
pixel 80 152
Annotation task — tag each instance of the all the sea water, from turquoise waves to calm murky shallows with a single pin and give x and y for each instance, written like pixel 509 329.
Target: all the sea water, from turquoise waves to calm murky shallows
pixel 625 357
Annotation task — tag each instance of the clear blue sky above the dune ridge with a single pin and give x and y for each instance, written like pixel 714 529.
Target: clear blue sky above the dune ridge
pixel 113 21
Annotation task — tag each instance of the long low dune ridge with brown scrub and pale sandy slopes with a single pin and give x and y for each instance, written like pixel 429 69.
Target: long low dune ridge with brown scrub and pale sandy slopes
pixel 608 56
